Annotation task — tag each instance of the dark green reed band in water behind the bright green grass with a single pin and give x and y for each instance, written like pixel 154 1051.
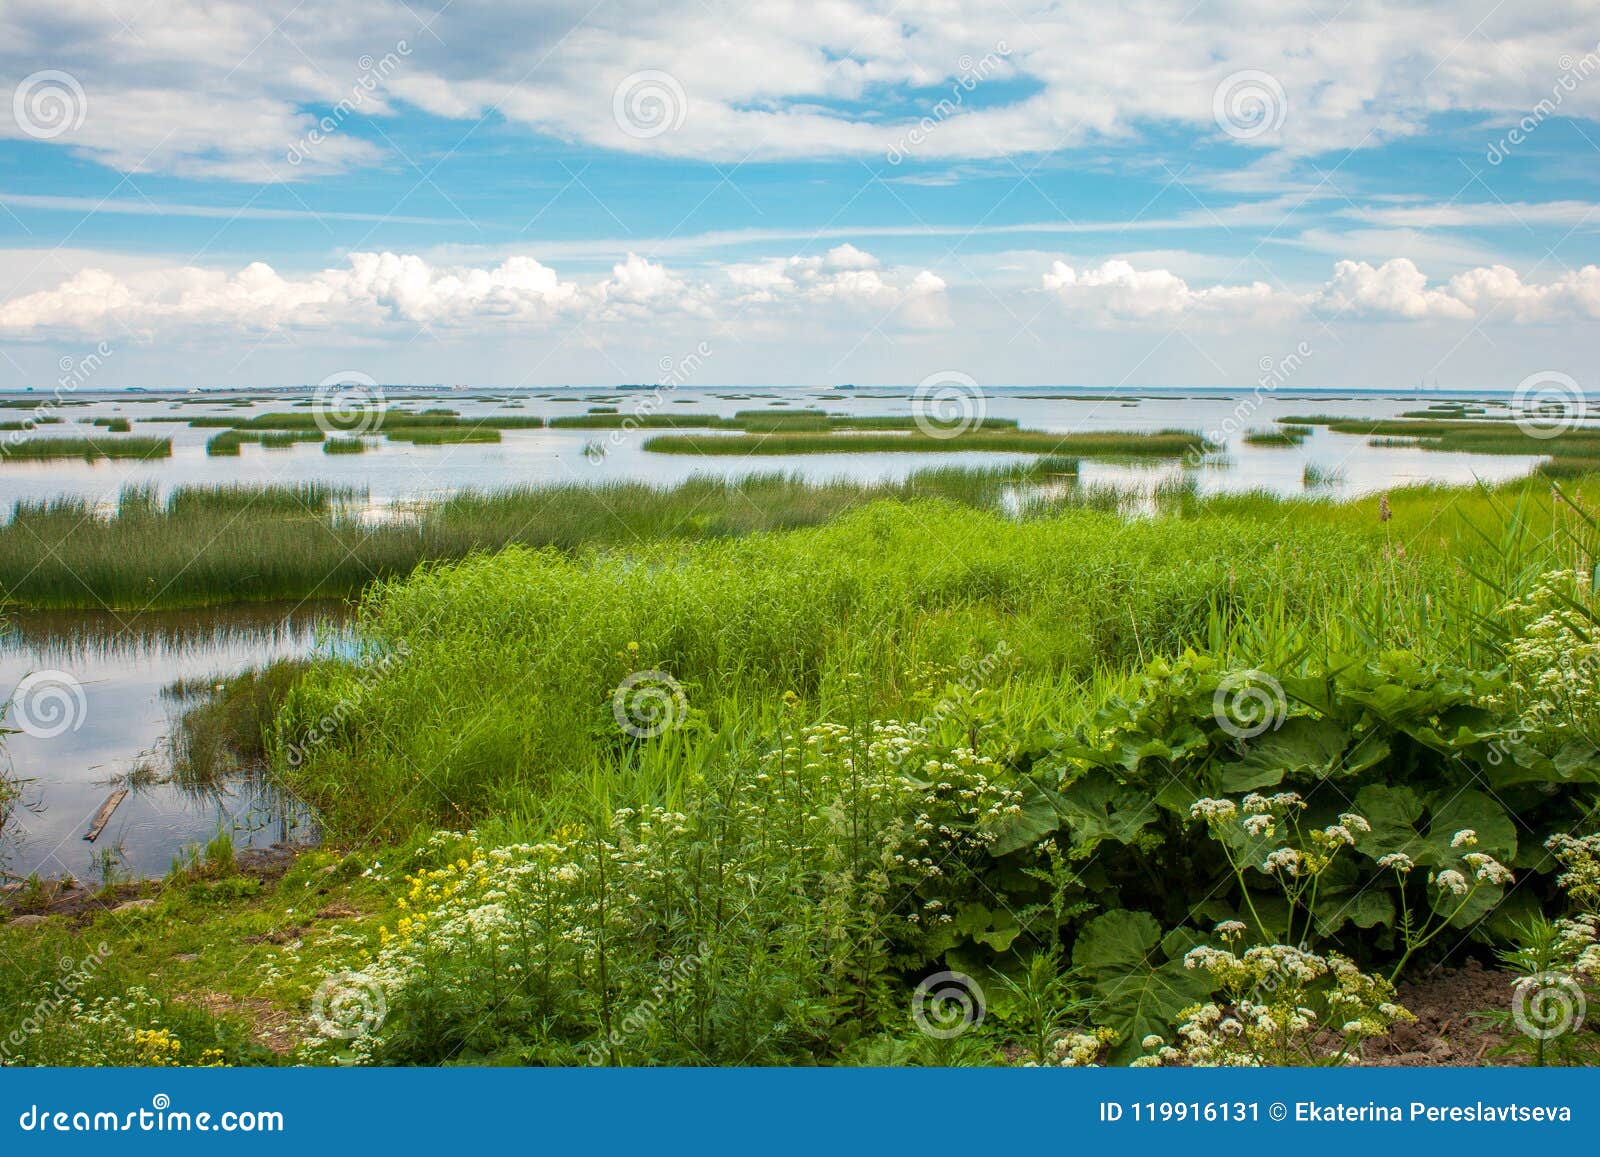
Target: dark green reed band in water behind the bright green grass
pixel 209 546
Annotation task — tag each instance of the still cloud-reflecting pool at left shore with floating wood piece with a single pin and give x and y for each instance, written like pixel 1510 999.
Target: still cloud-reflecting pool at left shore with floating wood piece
pixel 102 711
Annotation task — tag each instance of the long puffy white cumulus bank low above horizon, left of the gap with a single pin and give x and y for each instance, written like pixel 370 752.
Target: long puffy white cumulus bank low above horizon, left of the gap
pixel 383 289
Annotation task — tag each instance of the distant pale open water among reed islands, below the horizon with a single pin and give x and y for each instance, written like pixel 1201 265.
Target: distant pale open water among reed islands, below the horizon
pixel 401 473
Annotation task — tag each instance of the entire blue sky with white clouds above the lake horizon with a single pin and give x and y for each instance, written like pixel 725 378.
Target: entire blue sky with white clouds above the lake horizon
pixel 534 194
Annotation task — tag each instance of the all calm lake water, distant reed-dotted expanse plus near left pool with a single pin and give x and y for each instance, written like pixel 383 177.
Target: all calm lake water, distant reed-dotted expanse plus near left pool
pixel 119 670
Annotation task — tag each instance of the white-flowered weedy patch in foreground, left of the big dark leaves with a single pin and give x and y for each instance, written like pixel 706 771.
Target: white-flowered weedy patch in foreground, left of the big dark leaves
pixel 847 817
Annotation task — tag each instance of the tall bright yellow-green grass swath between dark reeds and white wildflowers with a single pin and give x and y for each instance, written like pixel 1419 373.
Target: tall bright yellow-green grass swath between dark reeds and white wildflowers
pixel 842 615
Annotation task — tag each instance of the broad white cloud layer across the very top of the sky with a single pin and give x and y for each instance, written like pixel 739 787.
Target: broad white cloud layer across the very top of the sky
pixel 230 87
